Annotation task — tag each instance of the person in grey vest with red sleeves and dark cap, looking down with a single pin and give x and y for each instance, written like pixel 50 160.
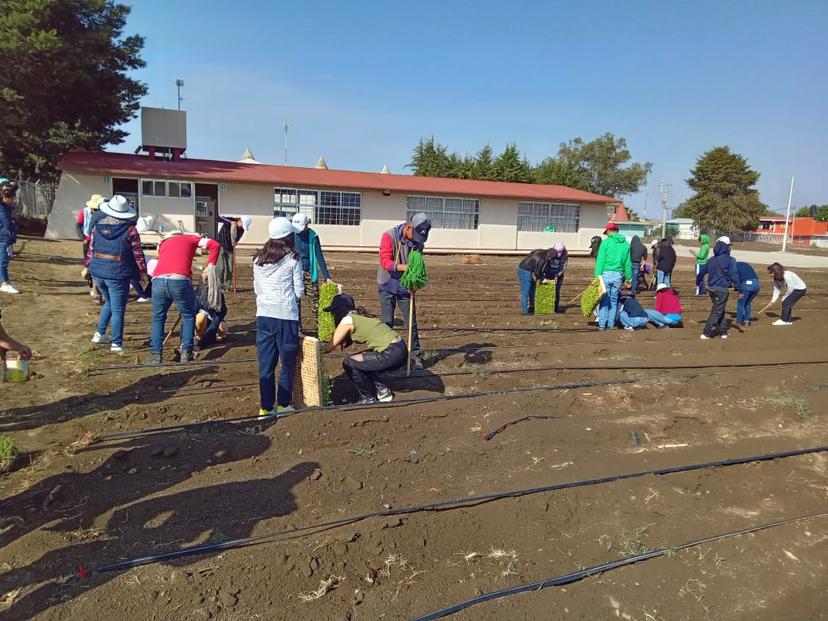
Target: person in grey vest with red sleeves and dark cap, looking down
pixel 396 246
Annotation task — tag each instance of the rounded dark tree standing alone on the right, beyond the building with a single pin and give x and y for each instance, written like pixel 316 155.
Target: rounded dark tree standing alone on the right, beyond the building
pixel 724 198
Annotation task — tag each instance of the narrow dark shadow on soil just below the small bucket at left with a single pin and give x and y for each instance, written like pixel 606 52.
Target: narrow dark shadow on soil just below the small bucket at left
pixel 70 408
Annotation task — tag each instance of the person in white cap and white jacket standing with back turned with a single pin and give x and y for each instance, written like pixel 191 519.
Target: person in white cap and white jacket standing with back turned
pixel 278 284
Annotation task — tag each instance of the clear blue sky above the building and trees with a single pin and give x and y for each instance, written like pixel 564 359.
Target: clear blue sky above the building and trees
pixel 360 82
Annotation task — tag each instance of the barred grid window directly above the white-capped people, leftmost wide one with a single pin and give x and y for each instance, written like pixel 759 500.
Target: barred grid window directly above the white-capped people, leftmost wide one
pixel 321 206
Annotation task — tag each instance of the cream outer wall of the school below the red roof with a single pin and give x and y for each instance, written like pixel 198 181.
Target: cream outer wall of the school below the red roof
pixel 496 232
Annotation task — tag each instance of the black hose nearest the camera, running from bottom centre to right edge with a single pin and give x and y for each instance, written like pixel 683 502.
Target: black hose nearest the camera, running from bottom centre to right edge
pixel 597 569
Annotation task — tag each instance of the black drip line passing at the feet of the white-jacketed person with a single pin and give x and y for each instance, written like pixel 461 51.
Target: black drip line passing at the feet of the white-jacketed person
pixel 429 399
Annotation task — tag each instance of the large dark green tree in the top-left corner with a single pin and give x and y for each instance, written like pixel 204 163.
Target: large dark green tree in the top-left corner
pixel 63 80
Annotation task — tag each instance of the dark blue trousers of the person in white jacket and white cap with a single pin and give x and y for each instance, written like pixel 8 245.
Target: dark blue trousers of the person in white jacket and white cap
pixel 276 338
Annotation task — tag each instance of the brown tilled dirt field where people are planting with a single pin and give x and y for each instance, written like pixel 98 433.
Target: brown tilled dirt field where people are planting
pixel 67 510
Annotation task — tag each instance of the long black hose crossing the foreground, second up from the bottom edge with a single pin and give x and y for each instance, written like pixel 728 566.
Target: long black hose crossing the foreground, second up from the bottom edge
pixel 466 502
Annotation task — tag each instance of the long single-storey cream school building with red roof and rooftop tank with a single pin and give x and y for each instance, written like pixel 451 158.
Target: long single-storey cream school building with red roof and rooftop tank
pixel 350 210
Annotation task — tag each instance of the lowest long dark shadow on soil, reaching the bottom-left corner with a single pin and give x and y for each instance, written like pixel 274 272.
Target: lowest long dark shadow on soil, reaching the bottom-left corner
pixel 213 513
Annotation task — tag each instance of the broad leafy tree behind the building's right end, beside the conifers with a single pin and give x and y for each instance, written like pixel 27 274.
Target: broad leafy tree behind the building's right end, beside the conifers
pixel 601 163
